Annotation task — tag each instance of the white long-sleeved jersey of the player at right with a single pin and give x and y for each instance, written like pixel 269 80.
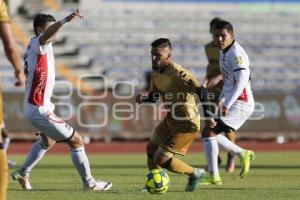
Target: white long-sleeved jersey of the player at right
pixel 235 68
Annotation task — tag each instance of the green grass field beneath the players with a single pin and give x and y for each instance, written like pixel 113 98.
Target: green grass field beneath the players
pixel 273 176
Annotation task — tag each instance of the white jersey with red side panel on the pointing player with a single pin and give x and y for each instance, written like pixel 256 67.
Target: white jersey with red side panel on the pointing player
pixel 40 74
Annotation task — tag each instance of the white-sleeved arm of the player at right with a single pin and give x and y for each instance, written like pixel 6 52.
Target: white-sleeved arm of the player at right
pixel 241 72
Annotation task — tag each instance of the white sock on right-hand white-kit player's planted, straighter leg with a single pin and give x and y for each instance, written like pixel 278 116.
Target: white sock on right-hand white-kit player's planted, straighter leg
pixel 211 153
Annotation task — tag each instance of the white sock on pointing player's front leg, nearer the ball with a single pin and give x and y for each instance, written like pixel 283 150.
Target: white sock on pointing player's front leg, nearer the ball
pixel 82 165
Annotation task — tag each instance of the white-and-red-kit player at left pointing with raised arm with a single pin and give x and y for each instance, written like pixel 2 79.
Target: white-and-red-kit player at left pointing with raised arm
pixel 38 109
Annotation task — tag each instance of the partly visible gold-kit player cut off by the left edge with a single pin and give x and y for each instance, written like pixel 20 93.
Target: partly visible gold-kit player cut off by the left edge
pixel 12 53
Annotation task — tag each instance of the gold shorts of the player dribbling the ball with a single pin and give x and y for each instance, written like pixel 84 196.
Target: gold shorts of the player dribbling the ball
pixel 175 137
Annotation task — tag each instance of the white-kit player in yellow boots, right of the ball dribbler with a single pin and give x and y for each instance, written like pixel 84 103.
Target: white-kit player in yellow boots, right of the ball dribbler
pixel 236 103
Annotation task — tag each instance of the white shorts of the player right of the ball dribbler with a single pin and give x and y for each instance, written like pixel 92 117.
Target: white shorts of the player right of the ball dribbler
pixel 238 113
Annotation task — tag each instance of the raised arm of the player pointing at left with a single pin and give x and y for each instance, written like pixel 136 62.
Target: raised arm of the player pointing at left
pixel 52 30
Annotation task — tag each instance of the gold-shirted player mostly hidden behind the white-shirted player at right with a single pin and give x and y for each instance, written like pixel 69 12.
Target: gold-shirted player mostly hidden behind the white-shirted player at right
pixel 214 83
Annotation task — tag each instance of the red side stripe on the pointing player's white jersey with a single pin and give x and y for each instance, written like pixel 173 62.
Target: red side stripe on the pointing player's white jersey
pixel 39 81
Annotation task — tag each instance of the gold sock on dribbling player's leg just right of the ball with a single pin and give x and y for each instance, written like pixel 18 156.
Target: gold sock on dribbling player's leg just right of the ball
pixel 180 167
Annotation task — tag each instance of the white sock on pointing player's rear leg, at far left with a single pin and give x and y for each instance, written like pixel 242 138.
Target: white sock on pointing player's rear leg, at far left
pixel 36 153
